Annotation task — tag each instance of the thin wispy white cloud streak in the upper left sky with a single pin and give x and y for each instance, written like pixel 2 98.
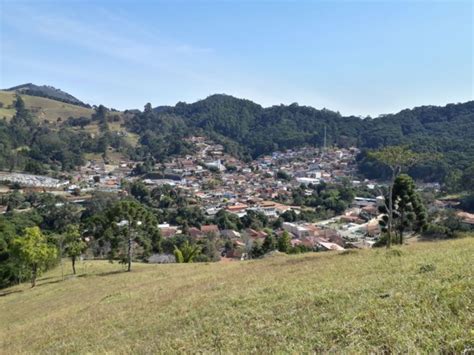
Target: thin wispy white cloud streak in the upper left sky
pixel 115 37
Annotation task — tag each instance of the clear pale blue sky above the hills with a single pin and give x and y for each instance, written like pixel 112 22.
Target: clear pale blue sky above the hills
pixel 358 58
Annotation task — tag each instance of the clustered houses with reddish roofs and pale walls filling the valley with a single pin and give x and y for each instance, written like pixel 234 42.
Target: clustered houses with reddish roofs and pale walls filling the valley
pixel 217 180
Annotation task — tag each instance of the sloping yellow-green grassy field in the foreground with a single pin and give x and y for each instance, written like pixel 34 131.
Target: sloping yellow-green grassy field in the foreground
pixel 415 299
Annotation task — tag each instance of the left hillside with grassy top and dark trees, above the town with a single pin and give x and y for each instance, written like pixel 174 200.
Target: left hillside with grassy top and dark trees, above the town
pixel 55 140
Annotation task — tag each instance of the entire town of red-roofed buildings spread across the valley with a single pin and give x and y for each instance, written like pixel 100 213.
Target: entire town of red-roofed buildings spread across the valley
pixel 216 181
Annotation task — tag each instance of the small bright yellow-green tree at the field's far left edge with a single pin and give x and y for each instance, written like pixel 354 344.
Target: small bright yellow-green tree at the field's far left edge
pixel 34 250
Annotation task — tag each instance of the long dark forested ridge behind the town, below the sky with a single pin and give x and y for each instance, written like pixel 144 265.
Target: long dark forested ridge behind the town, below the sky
pixel 249 130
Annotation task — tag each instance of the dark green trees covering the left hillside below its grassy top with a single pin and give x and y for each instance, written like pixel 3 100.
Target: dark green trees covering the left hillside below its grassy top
pixel 35 147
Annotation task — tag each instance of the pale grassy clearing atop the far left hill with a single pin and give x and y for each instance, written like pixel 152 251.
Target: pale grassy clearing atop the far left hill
pixel 42 108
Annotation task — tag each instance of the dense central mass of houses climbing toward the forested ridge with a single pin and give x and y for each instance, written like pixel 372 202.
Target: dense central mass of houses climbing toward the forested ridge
pixel 220 181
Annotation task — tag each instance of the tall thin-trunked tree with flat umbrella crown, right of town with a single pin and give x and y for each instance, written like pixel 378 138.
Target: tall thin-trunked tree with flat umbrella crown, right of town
pixel 396 158
